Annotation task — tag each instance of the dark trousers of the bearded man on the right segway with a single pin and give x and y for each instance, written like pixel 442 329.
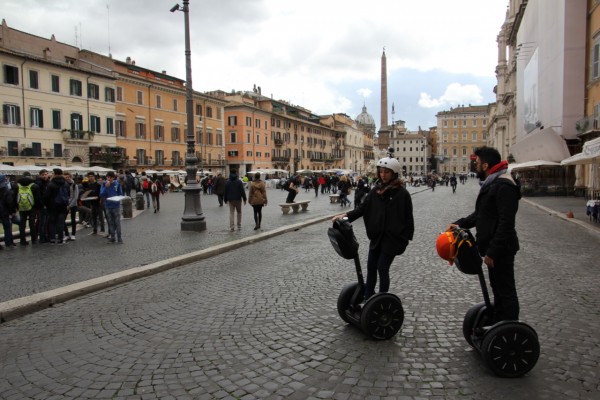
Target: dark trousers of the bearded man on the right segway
pixel 502 281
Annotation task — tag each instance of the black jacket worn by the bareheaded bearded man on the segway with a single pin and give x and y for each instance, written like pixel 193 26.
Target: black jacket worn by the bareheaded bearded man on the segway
pixel 494 217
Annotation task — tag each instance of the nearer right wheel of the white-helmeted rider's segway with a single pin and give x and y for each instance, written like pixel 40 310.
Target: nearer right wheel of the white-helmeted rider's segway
pixel 382 316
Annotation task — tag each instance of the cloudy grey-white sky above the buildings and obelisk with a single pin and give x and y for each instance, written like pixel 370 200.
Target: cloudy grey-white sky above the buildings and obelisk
pixel 324 55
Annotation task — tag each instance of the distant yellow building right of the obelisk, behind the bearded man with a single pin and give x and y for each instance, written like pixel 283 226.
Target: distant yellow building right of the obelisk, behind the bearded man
pixel 460 131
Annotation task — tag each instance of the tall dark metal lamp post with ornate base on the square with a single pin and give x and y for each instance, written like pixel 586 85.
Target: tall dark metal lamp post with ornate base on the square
pixel 193 219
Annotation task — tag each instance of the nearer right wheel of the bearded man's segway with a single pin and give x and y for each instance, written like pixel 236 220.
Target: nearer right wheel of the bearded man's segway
pixel 510 349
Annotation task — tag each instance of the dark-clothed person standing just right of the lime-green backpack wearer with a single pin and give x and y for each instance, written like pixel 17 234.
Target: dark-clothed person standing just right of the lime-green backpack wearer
pixel 56 199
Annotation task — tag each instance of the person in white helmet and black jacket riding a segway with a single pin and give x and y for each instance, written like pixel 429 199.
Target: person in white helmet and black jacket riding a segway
pixel 388 217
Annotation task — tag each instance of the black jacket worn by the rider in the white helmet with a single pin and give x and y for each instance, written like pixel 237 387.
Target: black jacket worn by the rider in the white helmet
pixel 388 219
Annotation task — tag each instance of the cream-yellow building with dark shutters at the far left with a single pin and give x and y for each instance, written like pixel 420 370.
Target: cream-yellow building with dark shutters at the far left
pixel 55 104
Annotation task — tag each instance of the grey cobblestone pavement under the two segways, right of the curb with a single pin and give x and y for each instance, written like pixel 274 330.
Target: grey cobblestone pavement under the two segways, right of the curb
pixel 260 322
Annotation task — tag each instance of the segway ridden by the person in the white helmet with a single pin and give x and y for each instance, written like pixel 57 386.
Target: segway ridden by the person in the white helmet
pixel 382 315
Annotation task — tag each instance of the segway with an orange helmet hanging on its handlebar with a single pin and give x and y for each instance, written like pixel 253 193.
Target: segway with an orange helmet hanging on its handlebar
pixel 509 348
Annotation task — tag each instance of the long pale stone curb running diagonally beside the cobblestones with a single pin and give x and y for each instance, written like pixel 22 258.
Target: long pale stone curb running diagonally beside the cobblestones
pixel 16 308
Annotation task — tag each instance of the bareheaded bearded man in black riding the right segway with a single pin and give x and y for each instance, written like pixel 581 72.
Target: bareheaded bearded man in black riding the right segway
pixel 496 238
